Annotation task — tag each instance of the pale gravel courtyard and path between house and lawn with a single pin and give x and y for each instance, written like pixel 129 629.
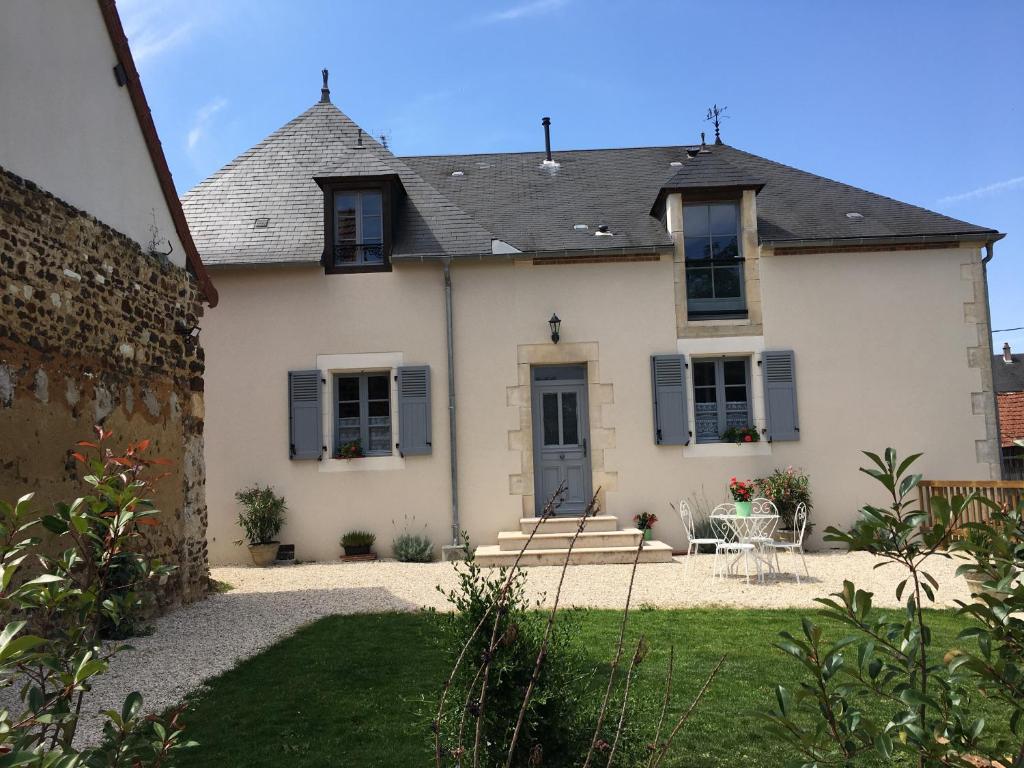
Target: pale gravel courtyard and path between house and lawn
pixel 204 639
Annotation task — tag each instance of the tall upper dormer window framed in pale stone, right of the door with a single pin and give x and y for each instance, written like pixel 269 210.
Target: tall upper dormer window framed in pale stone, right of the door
pixel 714 265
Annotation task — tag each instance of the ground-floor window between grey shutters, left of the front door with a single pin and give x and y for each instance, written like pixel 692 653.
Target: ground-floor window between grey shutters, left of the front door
pixel 363 414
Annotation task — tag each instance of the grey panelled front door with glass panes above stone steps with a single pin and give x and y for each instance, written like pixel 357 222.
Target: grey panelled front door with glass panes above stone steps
pixel 562 437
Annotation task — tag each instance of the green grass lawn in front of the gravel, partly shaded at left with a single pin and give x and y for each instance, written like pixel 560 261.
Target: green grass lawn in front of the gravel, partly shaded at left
pixel 359 691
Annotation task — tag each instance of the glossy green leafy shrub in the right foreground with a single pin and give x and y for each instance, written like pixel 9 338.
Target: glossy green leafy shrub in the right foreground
pixel 892 658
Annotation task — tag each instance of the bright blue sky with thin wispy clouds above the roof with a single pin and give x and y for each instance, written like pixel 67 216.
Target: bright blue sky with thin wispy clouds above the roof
pixel 923 102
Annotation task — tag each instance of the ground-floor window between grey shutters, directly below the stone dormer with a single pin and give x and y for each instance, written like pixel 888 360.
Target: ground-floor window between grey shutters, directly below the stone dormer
pixel 721 397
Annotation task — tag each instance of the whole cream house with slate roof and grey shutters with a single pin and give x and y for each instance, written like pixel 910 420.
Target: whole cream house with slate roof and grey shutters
pixel 480 328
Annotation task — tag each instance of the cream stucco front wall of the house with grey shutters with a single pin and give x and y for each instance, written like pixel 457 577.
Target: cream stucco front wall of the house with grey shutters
pixel 882 343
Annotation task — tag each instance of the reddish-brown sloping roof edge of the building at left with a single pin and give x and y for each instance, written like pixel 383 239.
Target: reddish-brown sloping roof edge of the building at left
pixel 145 117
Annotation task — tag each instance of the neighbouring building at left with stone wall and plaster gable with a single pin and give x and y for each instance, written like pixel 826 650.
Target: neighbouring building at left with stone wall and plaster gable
pixel 101 283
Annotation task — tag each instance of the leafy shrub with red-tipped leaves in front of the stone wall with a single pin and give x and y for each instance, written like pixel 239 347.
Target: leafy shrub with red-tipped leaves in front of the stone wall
pixel 98 579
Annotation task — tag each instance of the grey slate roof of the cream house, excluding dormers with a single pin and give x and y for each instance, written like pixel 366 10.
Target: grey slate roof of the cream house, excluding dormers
pixel 514 197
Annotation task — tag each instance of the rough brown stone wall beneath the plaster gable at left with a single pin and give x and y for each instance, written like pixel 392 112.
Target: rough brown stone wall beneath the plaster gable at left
pixel 93 331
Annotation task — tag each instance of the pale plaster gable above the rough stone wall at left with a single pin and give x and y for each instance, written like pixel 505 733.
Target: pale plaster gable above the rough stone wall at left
pixel 69 127
